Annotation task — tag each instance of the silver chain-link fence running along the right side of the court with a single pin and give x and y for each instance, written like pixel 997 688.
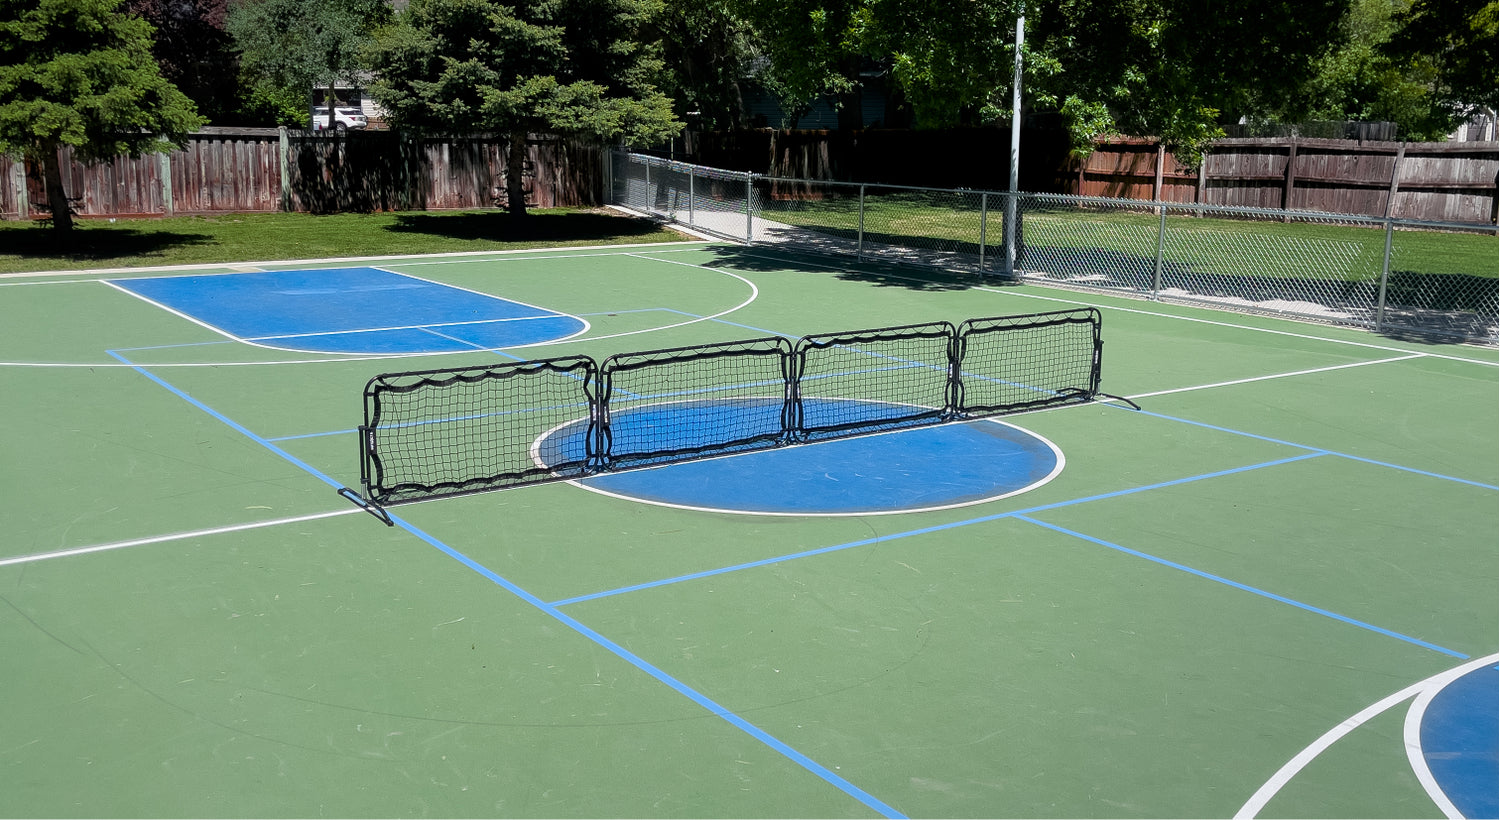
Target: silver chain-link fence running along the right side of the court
pixel 1400 278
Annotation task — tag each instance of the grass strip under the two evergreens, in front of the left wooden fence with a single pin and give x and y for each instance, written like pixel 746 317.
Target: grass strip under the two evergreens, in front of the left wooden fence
pixel 241 238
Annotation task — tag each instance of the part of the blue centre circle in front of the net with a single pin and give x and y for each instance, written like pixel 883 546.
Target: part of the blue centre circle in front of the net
pixel 904 471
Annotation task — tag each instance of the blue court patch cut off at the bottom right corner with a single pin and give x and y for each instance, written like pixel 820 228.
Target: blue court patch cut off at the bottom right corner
pixel 1460 741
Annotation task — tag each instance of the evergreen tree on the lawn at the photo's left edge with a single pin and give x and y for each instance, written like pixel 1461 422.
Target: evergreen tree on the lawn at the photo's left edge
pixel 80 74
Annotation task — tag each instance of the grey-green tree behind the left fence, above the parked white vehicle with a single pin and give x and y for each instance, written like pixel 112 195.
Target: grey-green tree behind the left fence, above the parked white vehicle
pixel 290 47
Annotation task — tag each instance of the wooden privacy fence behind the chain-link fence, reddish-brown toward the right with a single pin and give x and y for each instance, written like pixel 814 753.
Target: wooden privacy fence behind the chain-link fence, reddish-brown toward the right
pixel 1441 182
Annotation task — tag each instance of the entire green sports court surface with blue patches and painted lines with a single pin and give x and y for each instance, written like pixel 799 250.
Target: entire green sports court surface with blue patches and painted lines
pixel 1268 593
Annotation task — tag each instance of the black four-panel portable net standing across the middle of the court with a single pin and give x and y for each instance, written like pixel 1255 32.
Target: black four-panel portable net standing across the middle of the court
pixel 569 417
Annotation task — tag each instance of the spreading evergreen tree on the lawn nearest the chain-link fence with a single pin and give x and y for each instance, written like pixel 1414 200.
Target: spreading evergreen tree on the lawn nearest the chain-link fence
pixel 562 67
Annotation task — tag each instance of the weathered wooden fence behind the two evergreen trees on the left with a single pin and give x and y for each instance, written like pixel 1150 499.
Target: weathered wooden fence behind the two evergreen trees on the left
pixel 272 170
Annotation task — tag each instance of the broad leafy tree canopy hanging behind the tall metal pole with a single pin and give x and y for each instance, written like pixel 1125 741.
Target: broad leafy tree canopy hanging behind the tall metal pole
pixel 1175 70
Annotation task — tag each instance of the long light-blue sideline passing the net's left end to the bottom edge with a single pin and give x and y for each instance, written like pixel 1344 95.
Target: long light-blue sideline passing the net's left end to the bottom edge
pixel 640 663
